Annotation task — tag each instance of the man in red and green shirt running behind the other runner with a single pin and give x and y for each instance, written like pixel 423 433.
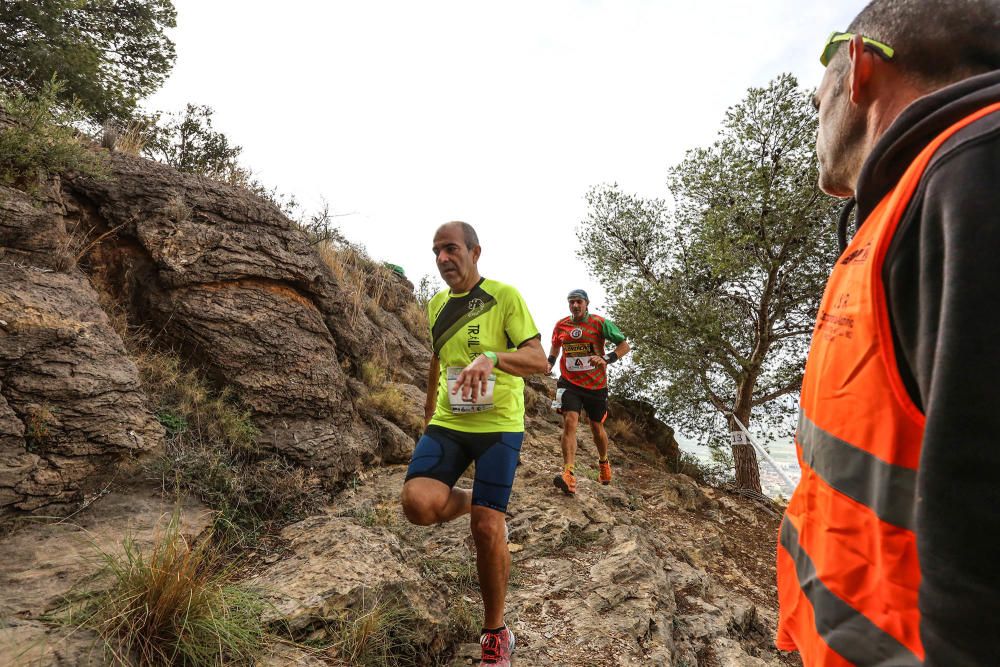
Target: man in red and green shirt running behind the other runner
pixel 583 381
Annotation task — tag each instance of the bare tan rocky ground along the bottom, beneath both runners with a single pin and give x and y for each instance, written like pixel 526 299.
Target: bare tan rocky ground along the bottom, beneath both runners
pixel 650 570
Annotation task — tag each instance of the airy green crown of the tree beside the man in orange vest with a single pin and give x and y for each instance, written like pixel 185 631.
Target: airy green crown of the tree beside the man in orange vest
pixel 719 291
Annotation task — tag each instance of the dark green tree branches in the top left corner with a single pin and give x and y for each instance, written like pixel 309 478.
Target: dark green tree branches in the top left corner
pixel 109 53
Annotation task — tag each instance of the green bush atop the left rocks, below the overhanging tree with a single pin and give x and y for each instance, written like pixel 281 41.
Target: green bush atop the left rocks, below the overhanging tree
pixel 42 141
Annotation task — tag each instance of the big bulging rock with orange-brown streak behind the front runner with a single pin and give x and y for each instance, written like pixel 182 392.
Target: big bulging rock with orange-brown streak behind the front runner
pixel 224 277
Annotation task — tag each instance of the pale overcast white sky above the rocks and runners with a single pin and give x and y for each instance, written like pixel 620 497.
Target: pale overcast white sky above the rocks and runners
pixel 408 114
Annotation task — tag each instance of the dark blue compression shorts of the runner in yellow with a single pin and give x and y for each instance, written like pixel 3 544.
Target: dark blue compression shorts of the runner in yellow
pixel 444 454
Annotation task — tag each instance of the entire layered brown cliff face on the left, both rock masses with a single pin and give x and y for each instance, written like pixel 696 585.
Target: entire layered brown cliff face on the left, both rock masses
pixel 207 270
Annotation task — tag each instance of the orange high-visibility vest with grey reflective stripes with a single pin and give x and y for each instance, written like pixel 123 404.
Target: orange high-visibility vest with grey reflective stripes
pixel 848 573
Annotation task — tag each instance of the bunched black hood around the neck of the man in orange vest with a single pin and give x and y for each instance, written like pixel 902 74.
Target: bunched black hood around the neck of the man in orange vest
pixel 918 124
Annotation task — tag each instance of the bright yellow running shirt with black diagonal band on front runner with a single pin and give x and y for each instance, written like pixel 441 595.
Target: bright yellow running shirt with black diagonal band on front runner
pixel 491 317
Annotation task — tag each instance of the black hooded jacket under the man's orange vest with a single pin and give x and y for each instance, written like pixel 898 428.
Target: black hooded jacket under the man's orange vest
pixel 942 282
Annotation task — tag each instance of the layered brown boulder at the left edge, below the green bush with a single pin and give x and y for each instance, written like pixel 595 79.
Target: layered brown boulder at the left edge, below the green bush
pixel 71 406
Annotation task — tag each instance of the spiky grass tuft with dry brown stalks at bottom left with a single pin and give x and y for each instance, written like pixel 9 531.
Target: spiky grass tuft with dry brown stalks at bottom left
pixel 171 604
